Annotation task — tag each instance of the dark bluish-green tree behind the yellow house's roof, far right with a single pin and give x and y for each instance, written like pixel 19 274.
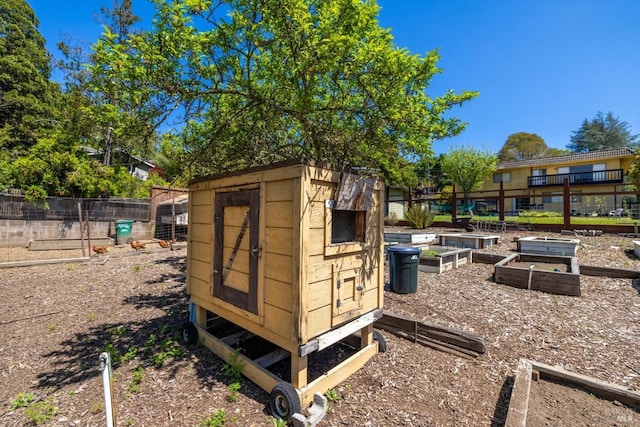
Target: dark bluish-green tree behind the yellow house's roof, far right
pixel 603 132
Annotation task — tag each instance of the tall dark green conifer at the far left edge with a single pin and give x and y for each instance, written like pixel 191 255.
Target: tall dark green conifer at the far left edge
pixel 27 97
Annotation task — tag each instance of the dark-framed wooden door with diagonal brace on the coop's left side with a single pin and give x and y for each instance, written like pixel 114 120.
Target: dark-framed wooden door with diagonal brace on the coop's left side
pixel 236 250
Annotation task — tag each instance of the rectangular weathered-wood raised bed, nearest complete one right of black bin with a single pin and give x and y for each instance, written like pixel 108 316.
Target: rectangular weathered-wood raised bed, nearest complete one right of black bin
pixel 552 274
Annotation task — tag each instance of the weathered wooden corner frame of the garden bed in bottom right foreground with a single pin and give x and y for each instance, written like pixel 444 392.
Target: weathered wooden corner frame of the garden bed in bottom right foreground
pixel 529 369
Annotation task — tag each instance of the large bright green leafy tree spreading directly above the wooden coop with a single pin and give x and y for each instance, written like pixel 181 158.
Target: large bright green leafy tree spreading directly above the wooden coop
pixel 255 82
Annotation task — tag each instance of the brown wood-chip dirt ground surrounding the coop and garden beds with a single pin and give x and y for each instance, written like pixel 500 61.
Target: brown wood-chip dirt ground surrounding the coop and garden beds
pixel 56 319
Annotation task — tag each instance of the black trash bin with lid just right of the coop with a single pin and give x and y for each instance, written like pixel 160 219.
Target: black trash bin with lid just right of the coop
pixel 403 269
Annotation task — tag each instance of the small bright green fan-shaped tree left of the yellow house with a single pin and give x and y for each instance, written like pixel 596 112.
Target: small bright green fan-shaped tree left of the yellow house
pixel 468 167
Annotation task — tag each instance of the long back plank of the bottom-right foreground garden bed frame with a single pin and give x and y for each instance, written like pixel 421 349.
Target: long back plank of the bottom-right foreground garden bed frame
pixel 600 388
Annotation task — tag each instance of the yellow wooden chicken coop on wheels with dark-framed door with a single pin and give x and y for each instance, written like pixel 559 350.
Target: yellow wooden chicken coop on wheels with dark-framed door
pixel 291 253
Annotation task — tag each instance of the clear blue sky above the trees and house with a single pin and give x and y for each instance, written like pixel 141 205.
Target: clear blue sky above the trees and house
pixel 540 66
